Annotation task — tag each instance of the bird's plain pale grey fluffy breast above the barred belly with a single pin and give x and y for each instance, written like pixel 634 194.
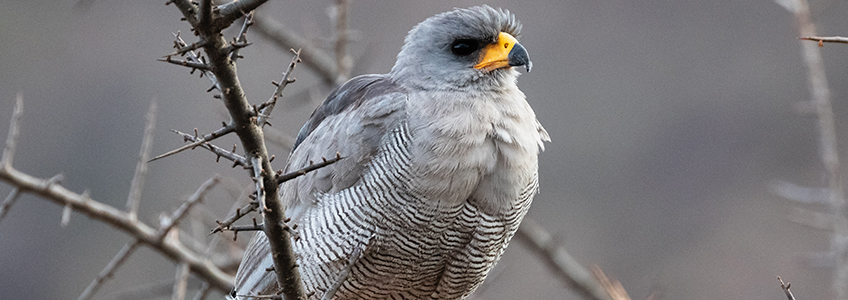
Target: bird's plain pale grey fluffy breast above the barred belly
pixel 481 148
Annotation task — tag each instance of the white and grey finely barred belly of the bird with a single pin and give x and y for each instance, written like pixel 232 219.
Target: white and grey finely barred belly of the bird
pixel 410 249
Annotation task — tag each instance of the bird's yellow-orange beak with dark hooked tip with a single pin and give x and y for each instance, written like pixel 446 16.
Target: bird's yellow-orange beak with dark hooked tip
pixel 504 53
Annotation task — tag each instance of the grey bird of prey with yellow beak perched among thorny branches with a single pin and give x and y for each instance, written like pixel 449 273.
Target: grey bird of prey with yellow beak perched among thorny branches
pixel 440 166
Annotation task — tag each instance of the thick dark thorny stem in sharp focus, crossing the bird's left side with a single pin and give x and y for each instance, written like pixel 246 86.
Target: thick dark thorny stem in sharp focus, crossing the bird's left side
pixel 207 22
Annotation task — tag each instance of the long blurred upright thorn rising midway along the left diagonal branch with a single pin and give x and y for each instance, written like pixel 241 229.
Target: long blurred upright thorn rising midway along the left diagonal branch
pixel 140 175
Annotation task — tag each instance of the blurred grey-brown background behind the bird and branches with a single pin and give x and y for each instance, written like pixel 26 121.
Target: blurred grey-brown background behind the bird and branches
pixel 669 121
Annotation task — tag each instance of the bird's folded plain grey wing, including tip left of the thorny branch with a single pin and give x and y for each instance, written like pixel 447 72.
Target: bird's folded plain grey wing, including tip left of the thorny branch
pixel 353 121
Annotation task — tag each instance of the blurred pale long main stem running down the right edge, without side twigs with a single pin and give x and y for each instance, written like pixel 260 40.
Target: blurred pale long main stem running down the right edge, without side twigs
pixel 820 98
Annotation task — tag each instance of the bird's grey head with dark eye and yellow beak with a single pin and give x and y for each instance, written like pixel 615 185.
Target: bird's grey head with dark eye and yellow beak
pixel 461 48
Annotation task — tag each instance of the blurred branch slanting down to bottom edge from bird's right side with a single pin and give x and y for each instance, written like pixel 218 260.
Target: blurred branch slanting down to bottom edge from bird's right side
pixel 559 261
